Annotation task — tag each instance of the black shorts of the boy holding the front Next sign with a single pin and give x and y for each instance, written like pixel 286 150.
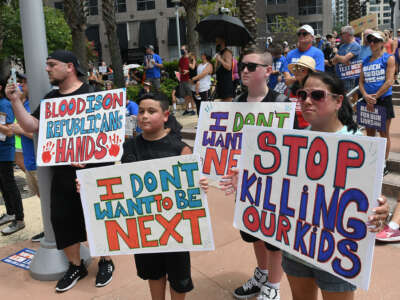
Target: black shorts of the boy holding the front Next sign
pixel 174 265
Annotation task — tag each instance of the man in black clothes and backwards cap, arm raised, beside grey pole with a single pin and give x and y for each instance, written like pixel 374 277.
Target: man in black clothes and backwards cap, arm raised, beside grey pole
pixel 65 209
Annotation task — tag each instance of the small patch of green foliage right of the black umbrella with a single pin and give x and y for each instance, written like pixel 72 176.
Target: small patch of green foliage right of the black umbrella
pixel 284 29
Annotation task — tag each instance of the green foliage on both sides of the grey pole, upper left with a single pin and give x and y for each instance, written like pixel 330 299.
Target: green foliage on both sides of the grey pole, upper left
pixel 57 31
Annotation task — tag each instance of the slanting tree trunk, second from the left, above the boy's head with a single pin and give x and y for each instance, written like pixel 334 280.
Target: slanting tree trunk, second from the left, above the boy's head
pixel 110 24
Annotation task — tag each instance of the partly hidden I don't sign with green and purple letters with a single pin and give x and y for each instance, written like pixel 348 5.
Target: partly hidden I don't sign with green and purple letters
pixel 219 130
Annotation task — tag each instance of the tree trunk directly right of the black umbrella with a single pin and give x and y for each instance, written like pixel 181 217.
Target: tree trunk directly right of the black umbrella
pixel 247 12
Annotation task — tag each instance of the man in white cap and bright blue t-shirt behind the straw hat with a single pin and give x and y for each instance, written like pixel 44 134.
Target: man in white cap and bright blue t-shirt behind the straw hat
pixel 305 36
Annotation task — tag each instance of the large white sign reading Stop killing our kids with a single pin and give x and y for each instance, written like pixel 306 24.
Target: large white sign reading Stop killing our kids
pixel 310 194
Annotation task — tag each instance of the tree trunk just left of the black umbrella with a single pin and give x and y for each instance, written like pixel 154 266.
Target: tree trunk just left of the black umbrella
pixel 191 22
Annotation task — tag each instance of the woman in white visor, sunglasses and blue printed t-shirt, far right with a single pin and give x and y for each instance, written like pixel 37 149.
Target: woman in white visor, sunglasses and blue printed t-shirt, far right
pixel 376 80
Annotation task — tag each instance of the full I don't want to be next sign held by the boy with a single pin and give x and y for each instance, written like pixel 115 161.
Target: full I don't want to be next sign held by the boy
pixel 146 207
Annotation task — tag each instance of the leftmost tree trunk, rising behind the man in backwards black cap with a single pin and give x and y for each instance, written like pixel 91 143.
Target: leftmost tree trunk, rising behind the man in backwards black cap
pixel 76 20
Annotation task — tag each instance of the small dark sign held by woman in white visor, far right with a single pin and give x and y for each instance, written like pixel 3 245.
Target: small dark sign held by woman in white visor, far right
pixel 373 119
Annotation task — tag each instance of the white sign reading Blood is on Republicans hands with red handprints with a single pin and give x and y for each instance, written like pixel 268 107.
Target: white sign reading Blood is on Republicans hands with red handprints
pixel 86 128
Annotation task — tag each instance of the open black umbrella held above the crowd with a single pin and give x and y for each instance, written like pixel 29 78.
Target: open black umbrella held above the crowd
pixel 229 28
